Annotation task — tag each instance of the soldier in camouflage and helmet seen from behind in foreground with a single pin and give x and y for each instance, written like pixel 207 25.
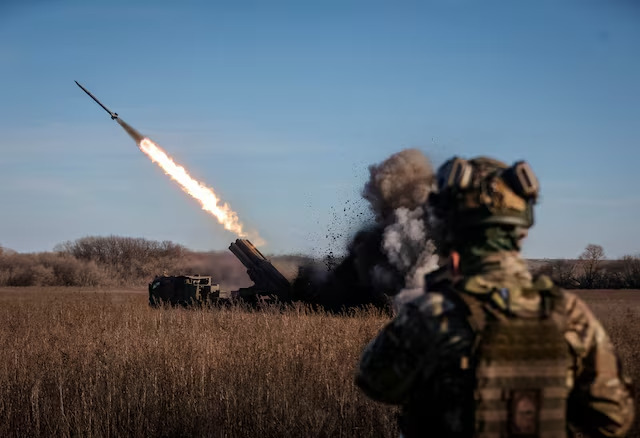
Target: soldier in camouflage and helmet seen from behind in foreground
pixel 487 350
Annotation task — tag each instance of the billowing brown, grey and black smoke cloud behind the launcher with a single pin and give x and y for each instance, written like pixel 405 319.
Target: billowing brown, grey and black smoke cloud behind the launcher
pixel 396 251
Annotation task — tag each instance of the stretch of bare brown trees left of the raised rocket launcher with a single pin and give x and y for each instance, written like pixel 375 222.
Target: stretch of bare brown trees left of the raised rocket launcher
pixel 112 261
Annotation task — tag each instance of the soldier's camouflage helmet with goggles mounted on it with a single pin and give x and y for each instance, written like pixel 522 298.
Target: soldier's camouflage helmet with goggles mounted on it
pixel 483 192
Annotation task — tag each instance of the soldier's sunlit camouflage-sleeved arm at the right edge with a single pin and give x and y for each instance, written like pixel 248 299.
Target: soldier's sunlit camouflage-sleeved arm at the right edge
pixel 600 403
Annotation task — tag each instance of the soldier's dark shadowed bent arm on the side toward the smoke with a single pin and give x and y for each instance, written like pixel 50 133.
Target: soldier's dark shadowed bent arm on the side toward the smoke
pixel 402 353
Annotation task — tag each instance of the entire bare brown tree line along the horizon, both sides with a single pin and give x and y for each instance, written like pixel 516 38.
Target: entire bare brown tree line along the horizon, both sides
pixel 116 261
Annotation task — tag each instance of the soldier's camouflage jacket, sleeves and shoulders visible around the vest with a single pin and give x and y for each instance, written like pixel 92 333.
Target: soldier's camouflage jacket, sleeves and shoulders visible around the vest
pixel 414 362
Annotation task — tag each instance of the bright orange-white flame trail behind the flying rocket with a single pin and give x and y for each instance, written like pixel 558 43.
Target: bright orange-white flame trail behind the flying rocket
pixel 203 194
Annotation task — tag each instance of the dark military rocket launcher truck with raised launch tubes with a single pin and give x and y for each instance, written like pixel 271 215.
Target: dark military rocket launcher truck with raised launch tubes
pixel 186 290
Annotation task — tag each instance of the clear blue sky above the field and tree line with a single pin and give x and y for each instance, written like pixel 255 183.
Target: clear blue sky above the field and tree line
pixel 281 106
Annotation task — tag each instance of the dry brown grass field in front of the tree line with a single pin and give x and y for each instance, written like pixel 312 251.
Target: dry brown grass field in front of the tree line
pixel 83 362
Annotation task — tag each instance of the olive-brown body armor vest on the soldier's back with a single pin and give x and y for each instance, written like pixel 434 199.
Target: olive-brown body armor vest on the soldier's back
pixel 521 363
